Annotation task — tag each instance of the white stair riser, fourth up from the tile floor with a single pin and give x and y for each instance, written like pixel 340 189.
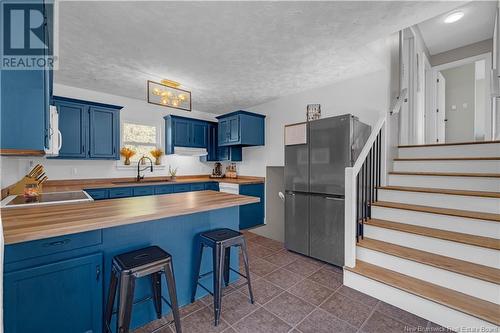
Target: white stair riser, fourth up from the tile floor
pixel 438 221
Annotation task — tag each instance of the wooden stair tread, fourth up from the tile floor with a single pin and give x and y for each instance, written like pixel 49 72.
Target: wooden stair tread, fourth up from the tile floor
pixel 438 210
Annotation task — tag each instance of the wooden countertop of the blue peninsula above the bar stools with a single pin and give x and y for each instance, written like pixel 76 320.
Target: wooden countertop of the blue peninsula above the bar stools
pixel 25 224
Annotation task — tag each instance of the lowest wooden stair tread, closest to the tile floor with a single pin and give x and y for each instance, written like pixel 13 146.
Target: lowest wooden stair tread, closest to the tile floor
pixel 473 306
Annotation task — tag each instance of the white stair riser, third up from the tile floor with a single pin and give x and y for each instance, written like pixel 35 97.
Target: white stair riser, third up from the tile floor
pixel 475 254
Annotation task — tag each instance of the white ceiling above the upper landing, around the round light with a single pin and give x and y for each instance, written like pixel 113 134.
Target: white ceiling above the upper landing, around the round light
pixel 476 25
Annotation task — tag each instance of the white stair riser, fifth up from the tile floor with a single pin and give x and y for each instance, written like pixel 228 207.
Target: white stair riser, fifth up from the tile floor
pixel 477 204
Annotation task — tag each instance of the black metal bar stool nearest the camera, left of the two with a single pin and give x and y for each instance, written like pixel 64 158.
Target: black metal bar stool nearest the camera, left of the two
pixel 127 267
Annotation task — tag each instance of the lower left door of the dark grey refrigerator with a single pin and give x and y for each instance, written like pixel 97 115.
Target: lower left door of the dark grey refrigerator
pixel 297 222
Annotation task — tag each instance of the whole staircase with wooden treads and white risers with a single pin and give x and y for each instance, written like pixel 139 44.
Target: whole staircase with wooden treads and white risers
pixel 432 244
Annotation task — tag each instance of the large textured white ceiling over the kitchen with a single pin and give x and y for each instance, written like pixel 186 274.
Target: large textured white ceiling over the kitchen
pixel 231 55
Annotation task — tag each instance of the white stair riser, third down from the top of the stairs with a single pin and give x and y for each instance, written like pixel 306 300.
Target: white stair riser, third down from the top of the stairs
pixel 450 182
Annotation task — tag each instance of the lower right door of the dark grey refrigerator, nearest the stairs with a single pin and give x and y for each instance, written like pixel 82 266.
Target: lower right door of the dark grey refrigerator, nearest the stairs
pixel 326 222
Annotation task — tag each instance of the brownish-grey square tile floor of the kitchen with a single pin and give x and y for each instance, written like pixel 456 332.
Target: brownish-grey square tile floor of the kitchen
pixel 293 294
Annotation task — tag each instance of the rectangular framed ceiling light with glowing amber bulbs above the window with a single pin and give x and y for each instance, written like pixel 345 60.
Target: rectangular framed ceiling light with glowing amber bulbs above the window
pixel 167 93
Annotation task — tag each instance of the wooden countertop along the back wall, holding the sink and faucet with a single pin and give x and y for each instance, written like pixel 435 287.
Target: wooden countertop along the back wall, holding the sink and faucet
pixel 80 184
